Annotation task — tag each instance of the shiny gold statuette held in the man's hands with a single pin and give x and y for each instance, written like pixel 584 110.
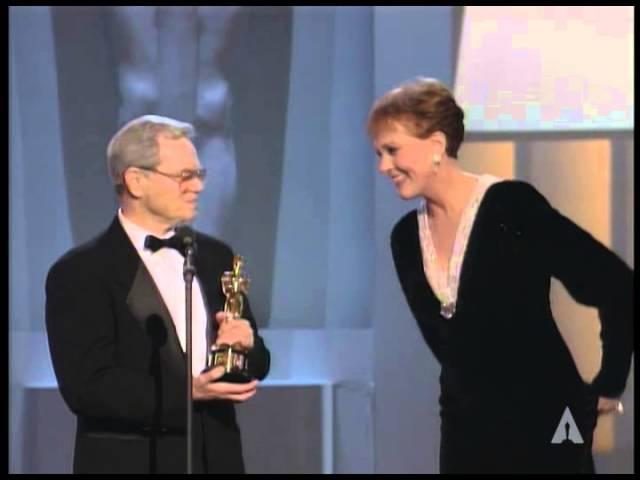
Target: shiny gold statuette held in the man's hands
pixel 233 358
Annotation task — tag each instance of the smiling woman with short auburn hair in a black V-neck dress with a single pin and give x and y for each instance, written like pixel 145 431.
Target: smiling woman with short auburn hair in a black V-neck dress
pixel 475 262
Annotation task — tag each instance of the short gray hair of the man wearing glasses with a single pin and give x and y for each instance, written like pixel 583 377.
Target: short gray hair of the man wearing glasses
pixel 136 145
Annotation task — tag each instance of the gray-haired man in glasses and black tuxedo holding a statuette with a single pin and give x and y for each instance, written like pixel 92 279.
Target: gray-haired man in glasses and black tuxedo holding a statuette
pixel 115 316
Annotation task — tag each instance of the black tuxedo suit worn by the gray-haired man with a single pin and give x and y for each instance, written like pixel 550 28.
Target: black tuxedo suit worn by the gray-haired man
pixel 120 367
